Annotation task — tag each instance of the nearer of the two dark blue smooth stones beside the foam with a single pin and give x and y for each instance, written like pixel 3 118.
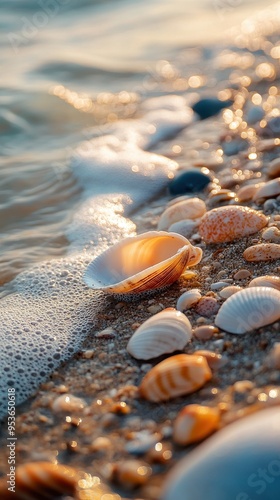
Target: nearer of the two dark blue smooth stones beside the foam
pixel 190 181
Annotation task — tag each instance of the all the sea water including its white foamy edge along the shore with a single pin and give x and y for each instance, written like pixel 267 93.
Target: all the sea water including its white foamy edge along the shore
pixel 88 90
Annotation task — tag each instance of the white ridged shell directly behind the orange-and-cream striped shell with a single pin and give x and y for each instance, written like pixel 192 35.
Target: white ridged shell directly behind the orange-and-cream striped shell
pixel 165 332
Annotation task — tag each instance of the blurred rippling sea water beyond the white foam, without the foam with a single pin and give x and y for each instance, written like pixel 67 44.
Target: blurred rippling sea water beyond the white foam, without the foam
pixel 67 65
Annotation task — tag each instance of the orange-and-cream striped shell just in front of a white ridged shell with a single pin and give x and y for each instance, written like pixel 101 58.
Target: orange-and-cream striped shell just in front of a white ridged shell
pixel 175 376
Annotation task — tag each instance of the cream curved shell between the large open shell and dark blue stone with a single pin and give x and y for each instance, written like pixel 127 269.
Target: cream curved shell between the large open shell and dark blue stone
pixel 191 208
